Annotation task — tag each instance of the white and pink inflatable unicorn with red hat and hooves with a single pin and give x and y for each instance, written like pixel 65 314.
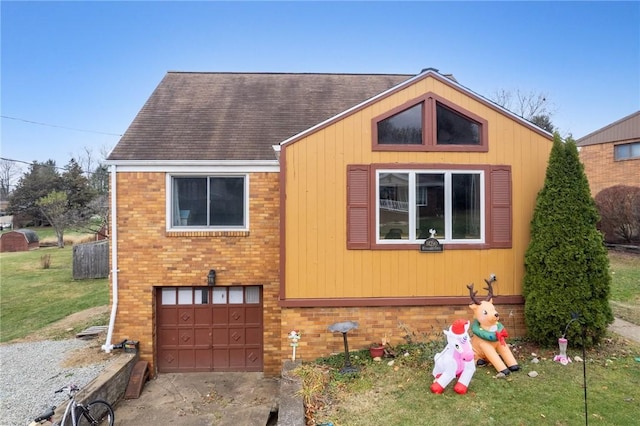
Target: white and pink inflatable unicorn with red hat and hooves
pixel 456 360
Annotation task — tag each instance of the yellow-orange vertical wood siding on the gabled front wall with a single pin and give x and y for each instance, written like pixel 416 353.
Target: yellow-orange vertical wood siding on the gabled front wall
pixel 318 265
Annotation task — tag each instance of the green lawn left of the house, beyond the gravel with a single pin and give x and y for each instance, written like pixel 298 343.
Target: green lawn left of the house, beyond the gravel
pixel 32 297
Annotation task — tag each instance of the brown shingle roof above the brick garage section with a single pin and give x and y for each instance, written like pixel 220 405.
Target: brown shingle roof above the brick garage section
pixel 235 116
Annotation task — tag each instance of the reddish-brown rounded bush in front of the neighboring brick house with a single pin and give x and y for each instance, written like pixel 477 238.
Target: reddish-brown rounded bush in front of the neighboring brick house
pixel 619 208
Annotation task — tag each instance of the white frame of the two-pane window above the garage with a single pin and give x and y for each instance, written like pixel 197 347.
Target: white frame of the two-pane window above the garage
pixel 169 202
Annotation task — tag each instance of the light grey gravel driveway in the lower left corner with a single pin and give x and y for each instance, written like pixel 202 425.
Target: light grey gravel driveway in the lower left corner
pixel 31 372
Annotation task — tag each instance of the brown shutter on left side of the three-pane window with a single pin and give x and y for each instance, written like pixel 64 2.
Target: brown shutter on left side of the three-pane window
pixel 358 207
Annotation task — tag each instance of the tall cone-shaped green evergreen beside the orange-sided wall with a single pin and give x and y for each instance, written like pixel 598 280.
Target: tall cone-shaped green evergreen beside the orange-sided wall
pixel 566 263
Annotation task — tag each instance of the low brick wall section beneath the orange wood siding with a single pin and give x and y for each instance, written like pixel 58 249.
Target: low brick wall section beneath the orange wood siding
pixel 376 322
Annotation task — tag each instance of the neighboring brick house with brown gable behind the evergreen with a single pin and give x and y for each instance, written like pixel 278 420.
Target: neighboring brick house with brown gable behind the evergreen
pixel 611 155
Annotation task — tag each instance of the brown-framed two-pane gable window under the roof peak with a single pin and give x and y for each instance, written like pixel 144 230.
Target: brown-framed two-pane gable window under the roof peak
pixel 429 123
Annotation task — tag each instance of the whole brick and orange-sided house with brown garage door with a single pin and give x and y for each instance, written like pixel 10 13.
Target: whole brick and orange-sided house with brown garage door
pixel 250 205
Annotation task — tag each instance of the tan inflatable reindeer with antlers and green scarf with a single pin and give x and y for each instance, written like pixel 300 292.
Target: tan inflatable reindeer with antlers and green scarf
pixel 489 334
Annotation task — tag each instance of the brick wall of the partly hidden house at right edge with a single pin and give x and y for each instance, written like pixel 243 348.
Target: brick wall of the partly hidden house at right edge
pixel 603 172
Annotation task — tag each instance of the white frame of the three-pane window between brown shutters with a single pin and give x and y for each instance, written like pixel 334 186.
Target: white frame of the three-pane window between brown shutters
pixel 413 237
